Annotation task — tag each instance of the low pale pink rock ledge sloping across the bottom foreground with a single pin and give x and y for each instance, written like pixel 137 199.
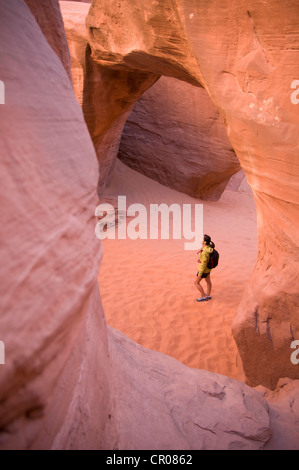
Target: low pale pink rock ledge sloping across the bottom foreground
pixel 163 404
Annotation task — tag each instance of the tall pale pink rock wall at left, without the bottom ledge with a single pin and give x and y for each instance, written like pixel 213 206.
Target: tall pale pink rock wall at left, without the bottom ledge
pixel 51 319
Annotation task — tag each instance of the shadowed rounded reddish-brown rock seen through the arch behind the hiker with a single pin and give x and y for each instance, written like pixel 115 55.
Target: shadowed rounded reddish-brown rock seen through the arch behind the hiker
pixel 176 136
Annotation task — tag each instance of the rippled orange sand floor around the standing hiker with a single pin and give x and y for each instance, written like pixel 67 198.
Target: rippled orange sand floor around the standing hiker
pixel 147 285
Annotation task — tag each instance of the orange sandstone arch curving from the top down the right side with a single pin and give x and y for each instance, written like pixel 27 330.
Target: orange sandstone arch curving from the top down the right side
pixel 247 67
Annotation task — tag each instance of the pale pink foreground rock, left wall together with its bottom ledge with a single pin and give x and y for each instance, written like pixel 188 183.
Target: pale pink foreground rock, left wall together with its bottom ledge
pixel 63 382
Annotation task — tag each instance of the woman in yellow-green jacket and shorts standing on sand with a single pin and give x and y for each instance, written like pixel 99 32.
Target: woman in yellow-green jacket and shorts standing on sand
pixel 203 270
